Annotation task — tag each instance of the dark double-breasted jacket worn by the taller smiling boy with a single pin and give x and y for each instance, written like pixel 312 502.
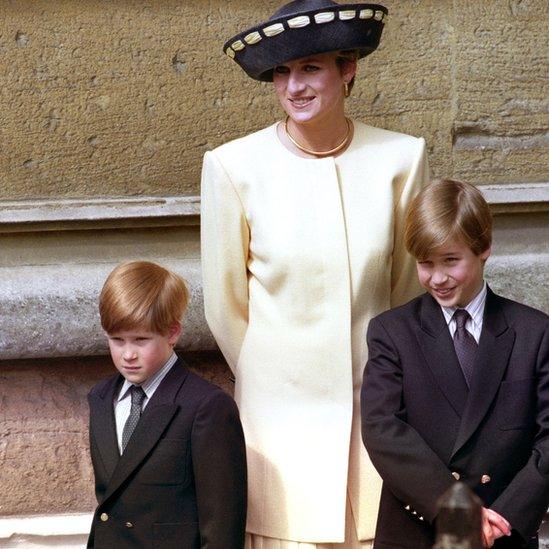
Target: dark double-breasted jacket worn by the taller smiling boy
pixel 420 422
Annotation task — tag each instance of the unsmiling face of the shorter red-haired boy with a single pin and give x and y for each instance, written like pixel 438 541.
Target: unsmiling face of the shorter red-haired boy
pixel 139 354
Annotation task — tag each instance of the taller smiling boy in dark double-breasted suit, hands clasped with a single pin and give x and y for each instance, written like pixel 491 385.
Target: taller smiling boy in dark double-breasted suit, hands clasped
pixel 457 385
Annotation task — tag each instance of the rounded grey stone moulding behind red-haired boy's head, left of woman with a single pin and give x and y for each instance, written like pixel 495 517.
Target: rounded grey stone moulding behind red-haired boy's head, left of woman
pixel 52 311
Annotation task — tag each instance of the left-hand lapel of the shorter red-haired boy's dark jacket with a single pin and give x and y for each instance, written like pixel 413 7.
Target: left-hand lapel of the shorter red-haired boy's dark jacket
pixel 103 424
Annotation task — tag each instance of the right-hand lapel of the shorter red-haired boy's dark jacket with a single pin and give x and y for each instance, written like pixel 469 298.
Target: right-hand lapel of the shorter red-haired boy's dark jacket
pixel 155 419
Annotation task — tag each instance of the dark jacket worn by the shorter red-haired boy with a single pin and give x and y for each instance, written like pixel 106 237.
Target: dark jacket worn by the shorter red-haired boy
pixel 181 481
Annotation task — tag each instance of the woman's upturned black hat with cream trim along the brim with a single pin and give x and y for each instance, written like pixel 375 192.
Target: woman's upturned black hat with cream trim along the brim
pixel 306 27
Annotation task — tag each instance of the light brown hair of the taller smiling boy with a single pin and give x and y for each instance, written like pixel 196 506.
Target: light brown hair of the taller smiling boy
pixel 448 210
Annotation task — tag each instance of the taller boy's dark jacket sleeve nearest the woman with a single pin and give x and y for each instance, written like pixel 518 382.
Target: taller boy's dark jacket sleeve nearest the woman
pixel 407 465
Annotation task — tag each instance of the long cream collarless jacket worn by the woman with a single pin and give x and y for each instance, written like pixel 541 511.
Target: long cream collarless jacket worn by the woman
pixel 298 255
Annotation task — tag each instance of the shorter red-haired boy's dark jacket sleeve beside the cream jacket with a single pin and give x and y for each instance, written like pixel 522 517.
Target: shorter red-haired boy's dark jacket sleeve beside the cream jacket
pixel 219 465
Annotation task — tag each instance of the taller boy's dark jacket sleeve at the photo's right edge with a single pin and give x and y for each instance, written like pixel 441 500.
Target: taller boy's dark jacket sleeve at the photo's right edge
pixel 524 502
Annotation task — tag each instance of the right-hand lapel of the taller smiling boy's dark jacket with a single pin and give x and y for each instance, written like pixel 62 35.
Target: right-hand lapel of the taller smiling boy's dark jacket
pixel 495 346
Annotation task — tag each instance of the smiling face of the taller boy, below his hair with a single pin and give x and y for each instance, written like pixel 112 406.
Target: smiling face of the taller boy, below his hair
pixel 452 273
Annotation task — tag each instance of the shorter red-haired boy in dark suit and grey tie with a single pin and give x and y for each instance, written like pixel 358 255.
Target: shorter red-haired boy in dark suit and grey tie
pixel 167 447
